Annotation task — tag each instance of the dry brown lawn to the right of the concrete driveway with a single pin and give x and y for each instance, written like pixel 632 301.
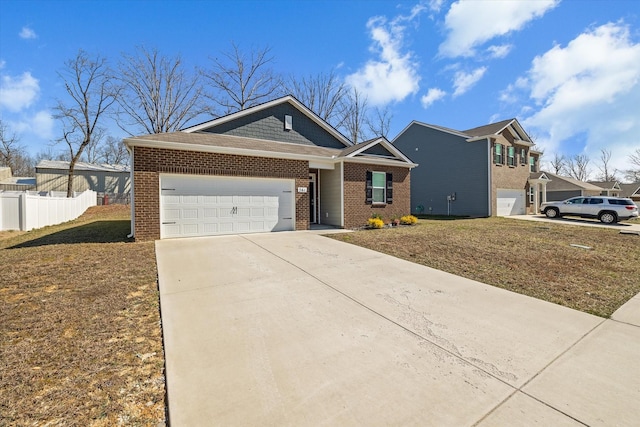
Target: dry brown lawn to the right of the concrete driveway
pixel 531 258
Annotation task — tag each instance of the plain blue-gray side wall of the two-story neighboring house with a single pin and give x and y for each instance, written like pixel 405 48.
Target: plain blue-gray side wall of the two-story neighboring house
pixel 446 164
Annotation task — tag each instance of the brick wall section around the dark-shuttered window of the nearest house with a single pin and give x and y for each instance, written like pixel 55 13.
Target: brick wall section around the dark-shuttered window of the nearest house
pixel 357 211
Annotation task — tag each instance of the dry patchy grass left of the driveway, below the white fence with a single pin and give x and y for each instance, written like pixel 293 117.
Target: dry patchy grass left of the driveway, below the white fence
pixel 80 333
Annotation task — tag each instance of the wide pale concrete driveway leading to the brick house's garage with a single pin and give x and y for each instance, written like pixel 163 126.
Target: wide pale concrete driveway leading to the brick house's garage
pixel 293 328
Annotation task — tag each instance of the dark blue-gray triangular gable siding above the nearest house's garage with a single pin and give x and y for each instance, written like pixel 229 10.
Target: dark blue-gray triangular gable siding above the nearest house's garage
pixel 269 124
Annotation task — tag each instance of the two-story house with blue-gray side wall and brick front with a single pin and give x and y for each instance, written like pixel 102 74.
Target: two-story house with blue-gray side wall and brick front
pixel 485 171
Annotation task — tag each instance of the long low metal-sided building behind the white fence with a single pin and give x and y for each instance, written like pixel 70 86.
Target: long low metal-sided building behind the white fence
pixel 111 180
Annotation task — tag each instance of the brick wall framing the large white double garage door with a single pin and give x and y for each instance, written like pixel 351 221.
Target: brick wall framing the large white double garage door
pixel 149 163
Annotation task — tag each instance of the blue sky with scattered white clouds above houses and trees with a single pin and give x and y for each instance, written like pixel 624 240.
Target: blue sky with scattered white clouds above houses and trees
pixel 568 70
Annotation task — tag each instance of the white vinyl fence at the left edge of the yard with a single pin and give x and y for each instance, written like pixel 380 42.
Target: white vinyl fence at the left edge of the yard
pixel 26 210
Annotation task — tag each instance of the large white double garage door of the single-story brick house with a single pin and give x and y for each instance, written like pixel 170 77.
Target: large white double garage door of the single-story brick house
pixel 208 206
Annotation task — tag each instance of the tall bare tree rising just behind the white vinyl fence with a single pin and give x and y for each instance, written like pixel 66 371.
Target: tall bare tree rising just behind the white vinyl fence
pixel 89 86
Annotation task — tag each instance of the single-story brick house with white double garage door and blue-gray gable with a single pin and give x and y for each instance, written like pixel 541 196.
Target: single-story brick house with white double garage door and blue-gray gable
pixel 276 166
